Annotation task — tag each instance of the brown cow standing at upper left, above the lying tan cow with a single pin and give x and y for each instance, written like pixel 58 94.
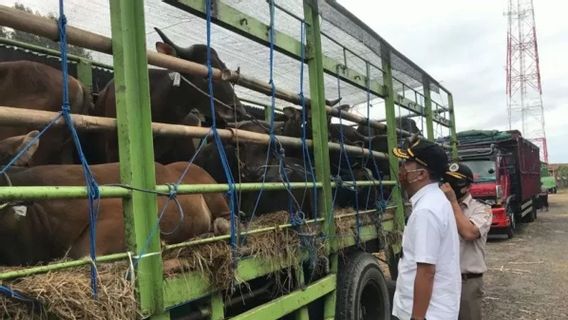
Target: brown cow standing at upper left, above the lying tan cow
pixel 32 85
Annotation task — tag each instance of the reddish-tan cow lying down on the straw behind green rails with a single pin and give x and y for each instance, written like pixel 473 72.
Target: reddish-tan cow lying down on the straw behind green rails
pixel 42 230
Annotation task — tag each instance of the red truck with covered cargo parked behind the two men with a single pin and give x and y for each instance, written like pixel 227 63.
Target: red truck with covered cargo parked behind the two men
pixel 506 171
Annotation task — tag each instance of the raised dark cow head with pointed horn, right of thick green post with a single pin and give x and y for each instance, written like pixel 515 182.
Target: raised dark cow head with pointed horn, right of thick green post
pixel 228 107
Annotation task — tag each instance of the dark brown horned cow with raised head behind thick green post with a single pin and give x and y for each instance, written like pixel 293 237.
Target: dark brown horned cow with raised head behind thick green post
pixel 173 96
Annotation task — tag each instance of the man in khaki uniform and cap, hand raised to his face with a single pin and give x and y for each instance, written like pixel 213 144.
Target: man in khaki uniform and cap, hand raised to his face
pixel 473 219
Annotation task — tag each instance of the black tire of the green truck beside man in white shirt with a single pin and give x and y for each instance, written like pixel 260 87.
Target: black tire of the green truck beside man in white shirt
pixel 362 292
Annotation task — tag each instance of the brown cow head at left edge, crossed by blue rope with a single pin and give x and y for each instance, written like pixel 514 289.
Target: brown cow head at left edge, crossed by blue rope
pixel 9 147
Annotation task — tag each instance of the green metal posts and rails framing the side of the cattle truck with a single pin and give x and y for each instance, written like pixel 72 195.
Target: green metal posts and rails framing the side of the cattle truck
pixel 157 295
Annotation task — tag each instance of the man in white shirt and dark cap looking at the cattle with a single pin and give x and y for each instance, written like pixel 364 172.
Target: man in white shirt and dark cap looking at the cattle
pixel 429 279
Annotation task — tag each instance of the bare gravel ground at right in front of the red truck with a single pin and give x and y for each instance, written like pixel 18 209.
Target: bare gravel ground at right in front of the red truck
pixel 528 274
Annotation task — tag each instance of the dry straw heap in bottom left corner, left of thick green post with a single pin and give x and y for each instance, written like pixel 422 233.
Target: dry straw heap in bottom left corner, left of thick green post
pixel 67 294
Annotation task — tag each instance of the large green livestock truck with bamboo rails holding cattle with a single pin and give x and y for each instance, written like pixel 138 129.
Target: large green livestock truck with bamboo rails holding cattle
pixel 320 267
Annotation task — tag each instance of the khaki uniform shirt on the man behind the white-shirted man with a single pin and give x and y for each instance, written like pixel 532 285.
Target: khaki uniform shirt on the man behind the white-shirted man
pixel 472 252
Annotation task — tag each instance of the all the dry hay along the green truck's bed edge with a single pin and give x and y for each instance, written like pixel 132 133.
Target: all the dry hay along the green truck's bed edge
pixel 66 294
